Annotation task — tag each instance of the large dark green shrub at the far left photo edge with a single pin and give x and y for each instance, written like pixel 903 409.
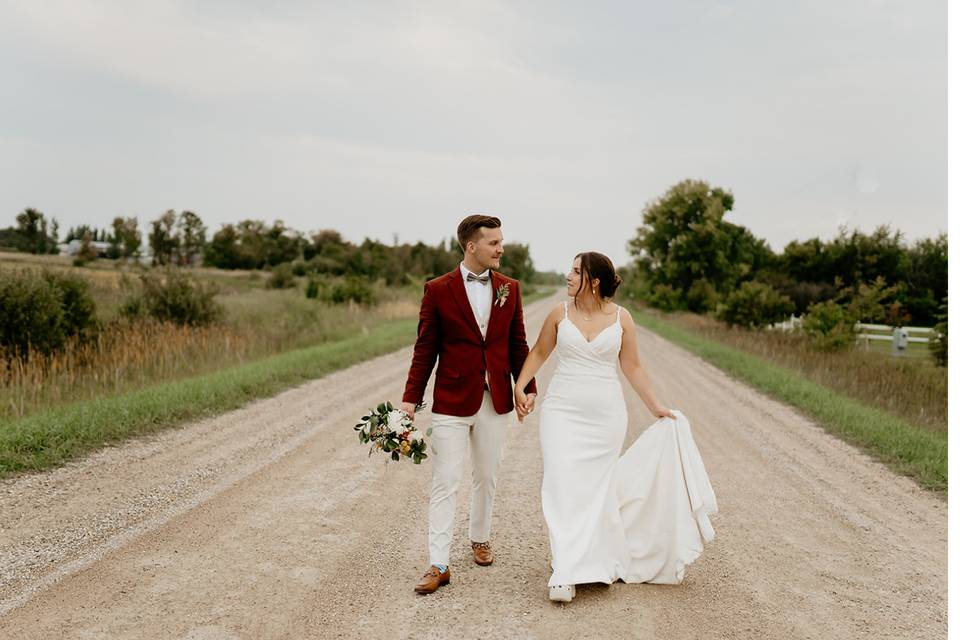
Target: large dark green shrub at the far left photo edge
pixel 40 310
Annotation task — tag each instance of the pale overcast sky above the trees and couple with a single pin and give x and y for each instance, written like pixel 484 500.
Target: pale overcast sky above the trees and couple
pixel 397 119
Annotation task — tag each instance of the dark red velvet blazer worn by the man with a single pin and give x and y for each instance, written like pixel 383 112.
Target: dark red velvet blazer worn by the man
pixel 449 331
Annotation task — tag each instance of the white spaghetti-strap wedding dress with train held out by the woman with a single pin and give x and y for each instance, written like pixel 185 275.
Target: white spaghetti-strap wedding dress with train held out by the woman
pixel 640 517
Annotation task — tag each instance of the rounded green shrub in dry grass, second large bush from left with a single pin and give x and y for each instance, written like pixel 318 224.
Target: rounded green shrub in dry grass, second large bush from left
pixel 174 297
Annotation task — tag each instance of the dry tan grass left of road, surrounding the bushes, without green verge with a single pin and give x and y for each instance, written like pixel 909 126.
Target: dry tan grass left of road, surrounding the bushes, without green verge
pixel 127 355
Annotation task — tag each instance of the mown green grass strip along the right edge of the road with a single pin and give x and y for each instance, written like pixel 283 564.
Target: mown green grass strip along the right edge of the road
pixel 906 448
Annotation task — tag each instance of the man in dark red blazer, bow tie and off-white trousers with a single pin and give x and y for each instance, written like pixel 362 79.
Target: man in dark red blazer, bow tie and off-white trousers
pixel 472 319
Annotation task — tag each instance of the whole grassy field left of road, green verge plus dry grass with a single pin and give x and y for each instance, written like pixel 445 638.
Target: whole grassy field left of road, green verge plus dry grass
pixel 142 376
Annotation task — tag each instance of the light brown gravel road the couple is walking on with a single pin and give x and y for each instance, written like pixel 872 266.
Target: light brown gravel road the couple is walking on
pixel 272 522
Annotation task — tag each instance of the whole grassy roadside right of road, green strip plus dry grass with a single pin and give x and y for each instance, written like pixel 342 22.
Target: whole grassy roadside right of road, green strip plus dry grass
pixel 892 408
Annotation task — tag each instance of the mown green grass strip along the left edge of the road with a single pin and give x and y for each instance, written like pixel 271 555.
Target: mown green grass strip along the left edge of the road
pixel 49 438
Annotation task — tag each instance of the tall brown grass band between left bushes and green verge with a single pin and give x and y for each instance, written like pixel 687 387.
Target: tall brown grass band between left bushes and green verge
pixel 129 355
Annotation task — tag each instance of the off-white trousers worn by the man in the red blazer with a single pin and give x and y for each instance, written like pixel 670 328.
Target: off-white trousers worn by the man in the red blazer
pixel 485 433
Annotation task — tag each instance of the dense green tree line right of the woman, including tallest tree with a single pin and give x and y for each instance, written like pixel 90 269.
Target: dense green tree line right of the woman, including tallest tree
pixel 687 257
